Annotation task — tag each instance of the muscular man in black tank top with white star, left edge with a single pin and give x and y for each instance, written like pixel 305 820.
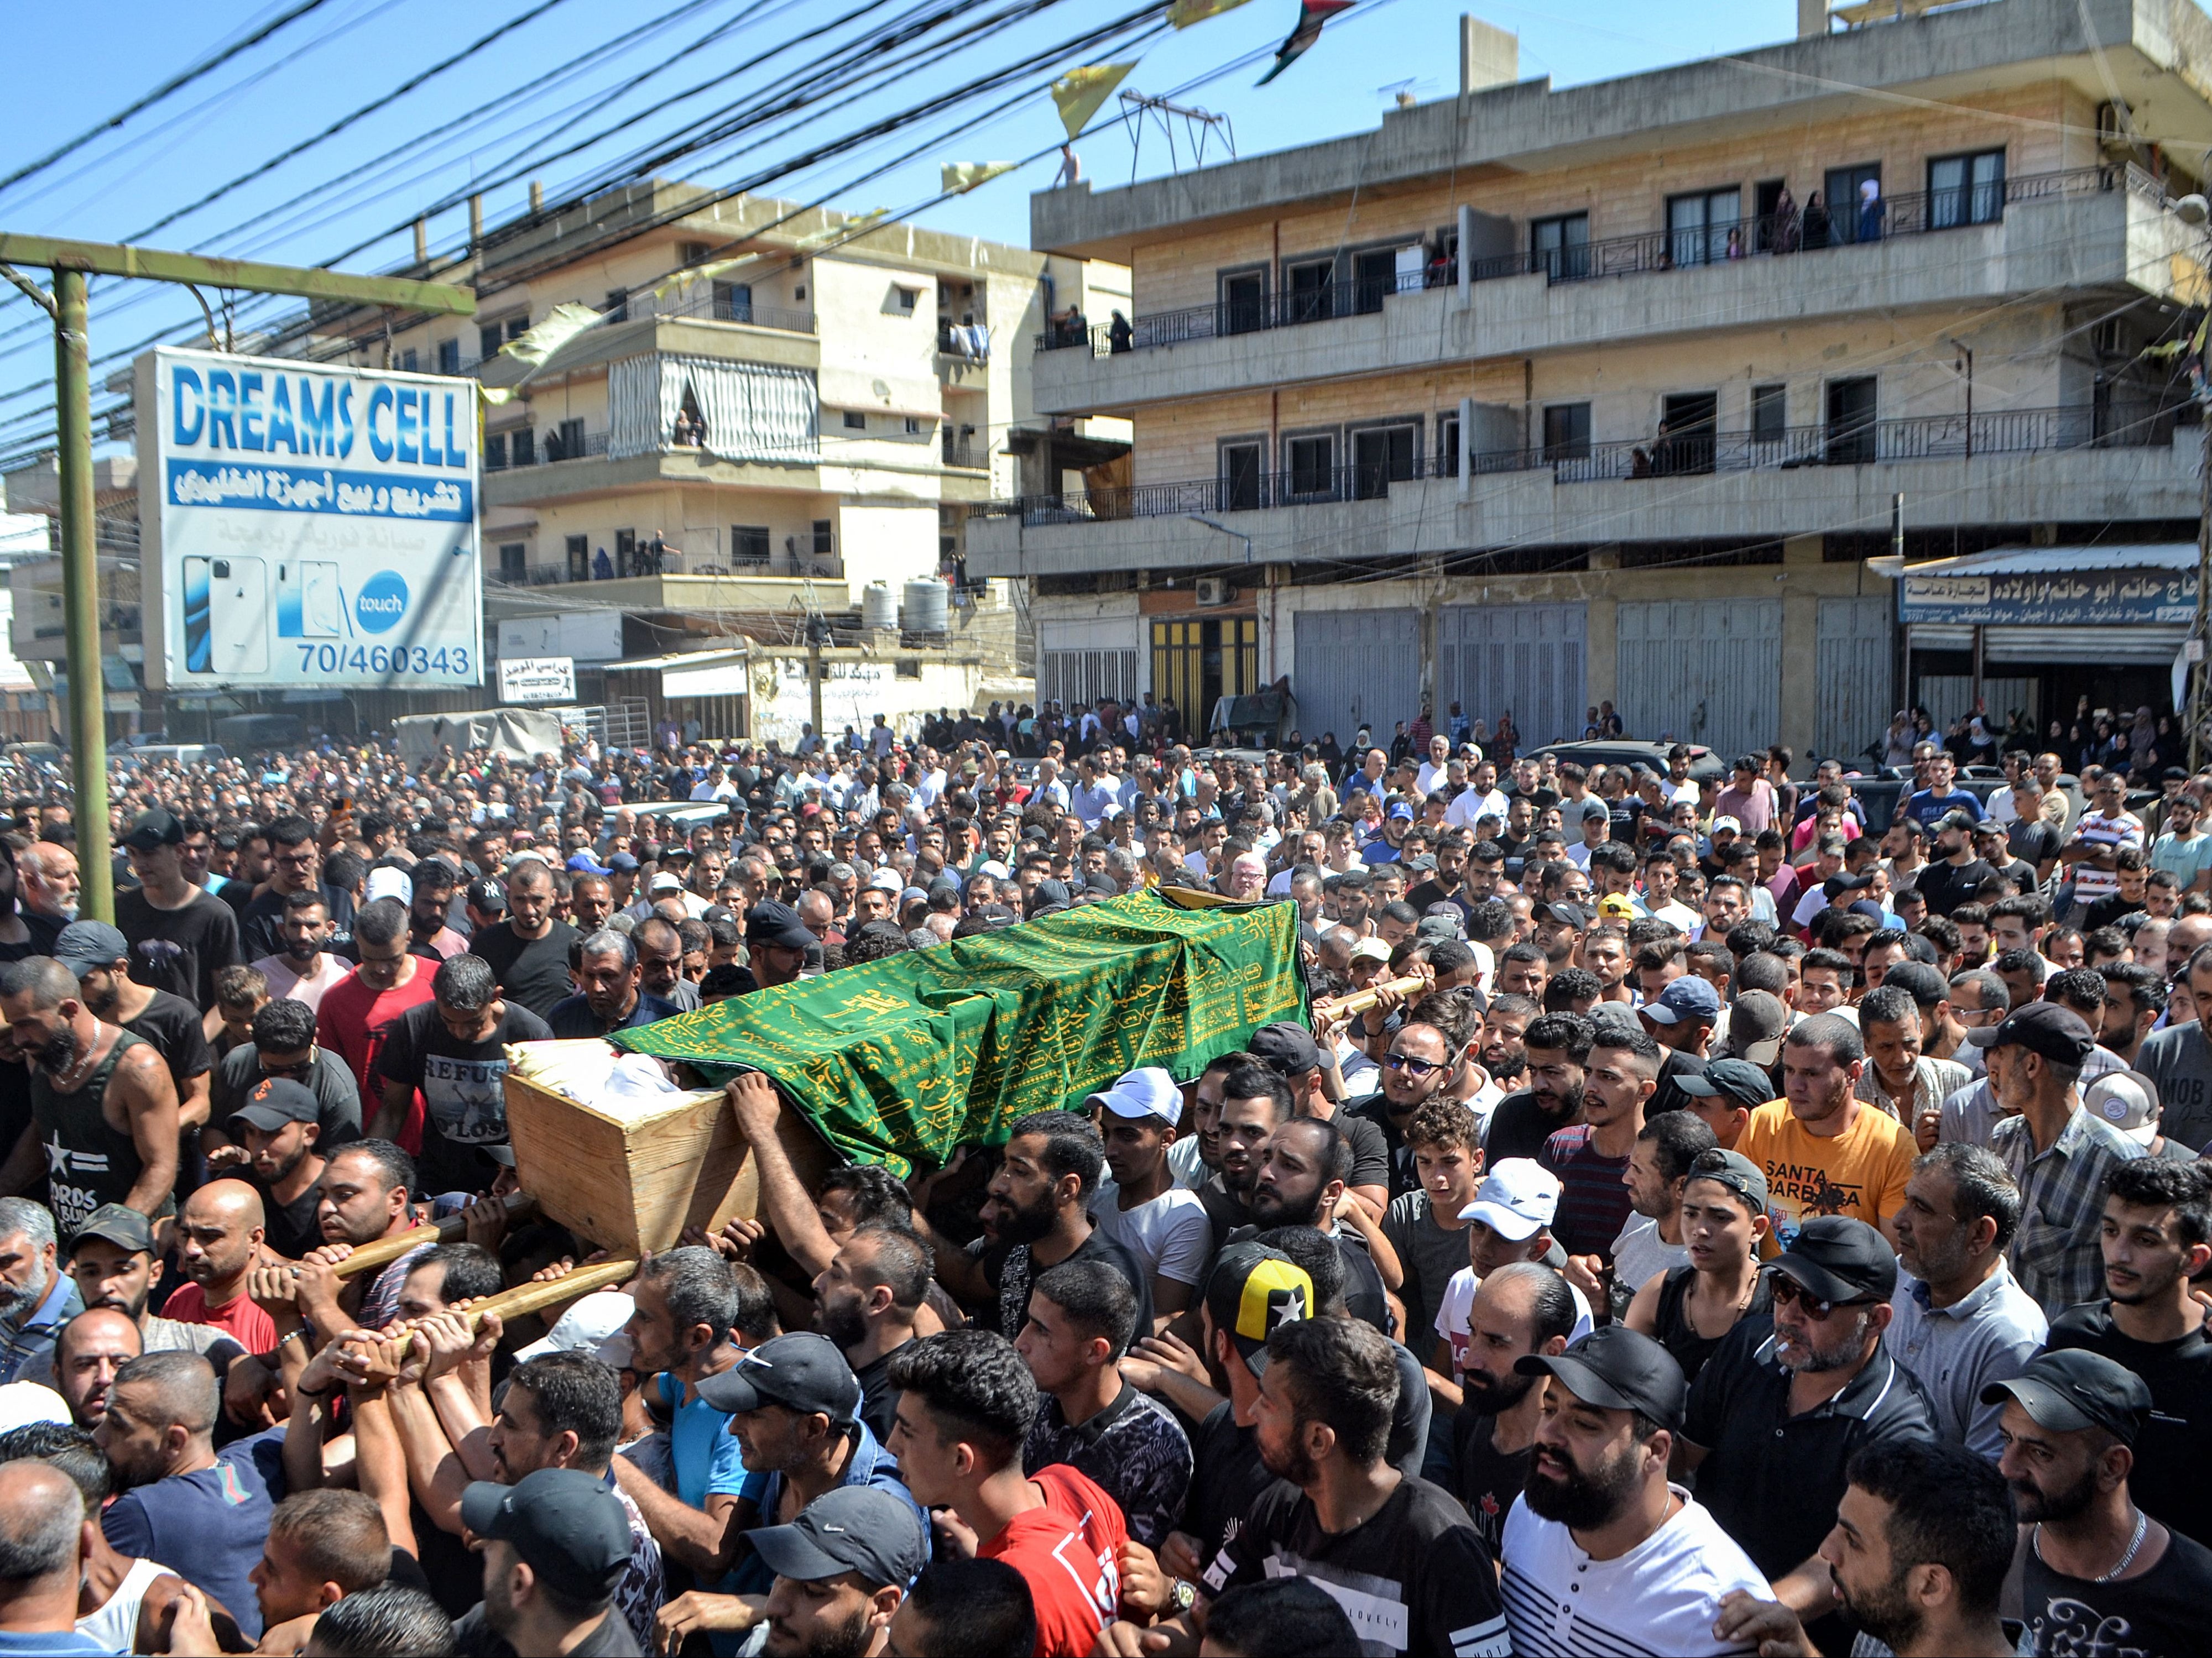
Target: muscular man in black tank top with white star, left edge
pixel 103 1104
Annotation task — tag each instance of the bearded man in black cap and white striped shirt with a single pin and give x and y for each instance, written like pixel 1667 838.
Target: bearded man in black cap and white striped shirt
pixel 1603 1553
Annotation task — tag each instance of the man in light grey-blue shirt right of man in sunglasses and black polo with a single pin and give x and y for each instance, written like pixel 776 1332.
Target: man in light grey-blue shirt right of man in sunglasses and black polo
pixel 1961 1319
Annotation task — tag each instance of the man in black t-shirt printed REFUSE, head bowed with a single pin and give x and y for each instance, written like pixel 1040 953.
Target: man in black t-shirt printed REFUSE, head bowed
pixel 455 1053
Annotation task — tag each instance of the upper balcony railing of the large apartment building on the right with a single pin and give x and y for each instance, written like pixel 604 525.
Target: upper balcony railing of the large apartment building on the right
pixel 1656 251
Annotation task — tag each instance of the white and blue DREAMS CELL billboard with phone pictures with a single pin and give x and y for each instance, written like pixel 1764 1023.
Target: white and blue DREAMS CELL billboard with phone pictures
pixel 306 525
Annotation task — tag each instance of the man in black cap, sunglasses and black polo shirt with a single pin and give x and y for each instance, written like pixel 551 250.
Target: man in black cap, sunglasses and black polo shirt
pixel 1777 1412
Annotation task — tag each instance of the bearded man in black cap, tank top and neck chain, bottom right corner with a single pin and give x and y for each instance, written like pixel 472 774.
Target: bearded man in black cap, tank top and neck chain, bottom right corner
pixel 2096 1571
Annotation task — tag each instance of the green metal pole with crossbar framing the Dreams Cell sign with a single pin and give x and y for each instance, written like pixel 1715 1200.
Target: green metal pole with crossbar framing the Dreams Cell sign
pixel 72 262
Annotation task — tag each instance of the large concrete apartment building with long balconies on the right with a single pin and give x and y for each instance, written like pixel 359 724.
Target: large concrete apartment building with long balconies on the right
pixel 1642 441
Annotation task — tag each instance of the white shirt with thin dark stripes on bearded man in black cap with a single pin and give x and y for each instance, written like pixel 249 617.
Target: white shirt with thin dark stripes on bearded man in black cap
pixel 1656 1599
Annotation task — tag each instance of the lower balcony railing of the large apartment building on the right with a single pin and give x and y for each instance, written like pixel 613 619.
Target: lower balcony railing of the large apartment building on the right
pixel 1687 452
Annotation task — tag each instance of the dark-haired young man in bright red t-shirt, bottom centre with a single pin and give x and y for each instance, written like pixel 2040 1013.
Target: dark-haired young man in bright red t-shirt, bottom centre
pixel 968 1392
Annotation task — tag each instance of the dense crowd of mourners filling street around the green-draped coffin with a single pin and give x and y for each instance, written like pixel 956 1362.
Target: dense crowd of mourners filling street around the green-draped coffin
pixel 1695 1217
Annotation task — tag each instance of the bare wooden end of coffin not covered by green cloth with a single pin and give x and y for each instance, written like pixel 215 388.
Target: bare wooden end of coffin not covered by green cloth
pixel 634 1177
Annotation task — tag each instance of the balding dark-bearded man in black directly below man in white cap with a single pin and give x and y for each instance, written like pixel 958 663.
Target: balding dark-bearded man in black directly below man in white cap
pixel 1521 1310
